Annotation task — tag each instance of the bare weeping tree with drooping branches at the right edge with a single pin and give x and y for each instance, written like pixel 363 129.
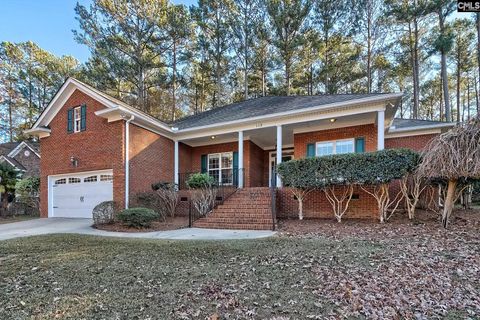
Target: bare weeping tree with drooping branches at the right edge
pixel 454 157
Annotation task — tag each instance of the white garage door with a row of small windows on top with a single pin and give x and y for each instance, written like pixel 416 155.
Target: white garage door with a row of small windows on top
pixel 75 195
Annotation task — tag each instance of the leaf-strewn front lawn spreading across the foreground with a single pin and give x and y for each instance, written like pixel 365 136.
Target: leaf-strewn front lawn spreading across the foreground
pixel 328 271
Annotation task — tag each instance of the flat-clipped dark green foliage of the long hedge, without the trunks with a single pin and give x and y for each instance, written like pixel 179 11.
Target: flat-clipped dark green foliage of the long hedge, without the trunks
pixel 353 168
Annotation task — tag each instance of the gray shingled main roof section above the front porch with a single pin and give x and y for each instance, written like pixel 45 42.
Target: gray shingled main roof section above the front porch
pixel 263 106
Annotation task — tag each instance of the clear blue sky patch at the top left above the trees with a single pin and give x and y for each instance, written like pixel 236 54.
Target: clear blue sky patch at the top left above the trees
pixel 49 23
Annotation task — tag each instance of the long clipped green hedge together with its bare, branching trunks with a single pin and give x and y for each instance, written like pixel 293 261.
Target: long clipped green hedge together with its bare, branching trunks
pixel 337 176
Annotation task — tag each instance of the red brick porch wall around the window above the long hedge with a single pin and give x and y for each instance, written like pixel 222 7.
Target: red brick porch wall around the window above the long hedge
pixel 368 131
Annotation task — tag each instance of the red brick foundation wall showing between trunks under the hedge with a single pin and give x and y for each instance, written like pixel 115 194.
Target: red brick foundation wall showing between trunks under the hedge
pixel 316 205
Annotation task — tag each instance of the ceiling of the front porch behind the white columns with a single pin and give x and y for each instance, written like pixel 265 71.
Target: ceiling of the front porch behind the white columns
pixel 265 138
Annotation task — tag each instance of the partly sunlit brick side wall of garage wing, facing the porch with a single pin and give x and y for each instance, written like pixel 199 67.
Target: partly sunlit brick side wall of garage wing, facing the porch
pixel 151 159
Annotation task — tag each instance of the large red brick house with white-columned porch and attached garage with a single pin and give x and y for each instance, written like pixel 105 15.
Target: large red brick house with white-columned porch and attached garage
pixel 98 148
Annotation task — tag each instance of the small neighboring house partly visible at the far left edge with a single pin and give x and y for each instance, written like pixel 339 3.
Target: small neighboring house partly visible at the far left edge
pixel 23 156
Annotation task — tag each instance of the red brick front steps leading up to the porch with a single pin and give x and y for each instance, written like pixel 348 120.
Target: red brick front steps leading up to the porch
pixel 247 208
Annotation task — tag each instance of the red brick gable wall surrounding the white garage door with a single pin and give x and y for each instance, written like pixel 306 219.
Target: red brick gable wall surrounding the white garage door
pixel 100 146
